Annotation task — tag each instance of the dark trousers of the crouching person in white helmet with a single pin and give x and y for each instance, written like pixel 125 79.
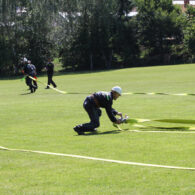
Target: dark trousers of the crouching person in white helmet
pixel 94 115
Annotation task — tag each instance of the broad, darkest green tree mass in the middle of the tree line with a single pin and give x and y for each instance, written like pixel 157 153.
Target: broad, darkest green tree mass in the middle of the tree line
pixel 103 28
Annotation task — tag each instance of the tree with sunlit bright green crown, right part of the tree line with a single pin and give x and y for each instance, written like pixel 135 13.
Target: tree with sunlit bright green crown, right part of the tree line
pixel 159 28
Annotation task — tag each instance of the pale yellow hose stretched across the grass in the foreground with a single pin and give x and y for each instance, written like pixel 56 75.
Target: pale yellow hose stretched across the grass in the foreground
pixel 100 159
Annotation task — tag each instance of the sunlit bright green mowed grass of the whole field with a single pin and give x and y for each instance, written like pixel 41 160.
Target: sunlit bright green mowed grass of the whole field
pixel 44 121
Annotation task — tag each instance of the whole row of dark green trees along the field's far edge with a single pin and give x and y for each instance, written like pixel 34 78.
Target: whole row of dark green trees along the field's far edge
pixel 95 34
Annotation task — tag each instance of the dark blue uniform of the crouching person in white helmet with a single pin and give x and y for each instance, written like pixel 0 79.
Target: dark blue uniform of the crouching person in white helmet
pixel 92 105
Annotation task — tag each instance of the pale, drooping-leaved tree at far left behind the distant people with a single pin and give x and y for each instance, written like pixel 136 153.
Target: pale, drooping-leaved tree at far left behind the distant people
pixel 25 28
